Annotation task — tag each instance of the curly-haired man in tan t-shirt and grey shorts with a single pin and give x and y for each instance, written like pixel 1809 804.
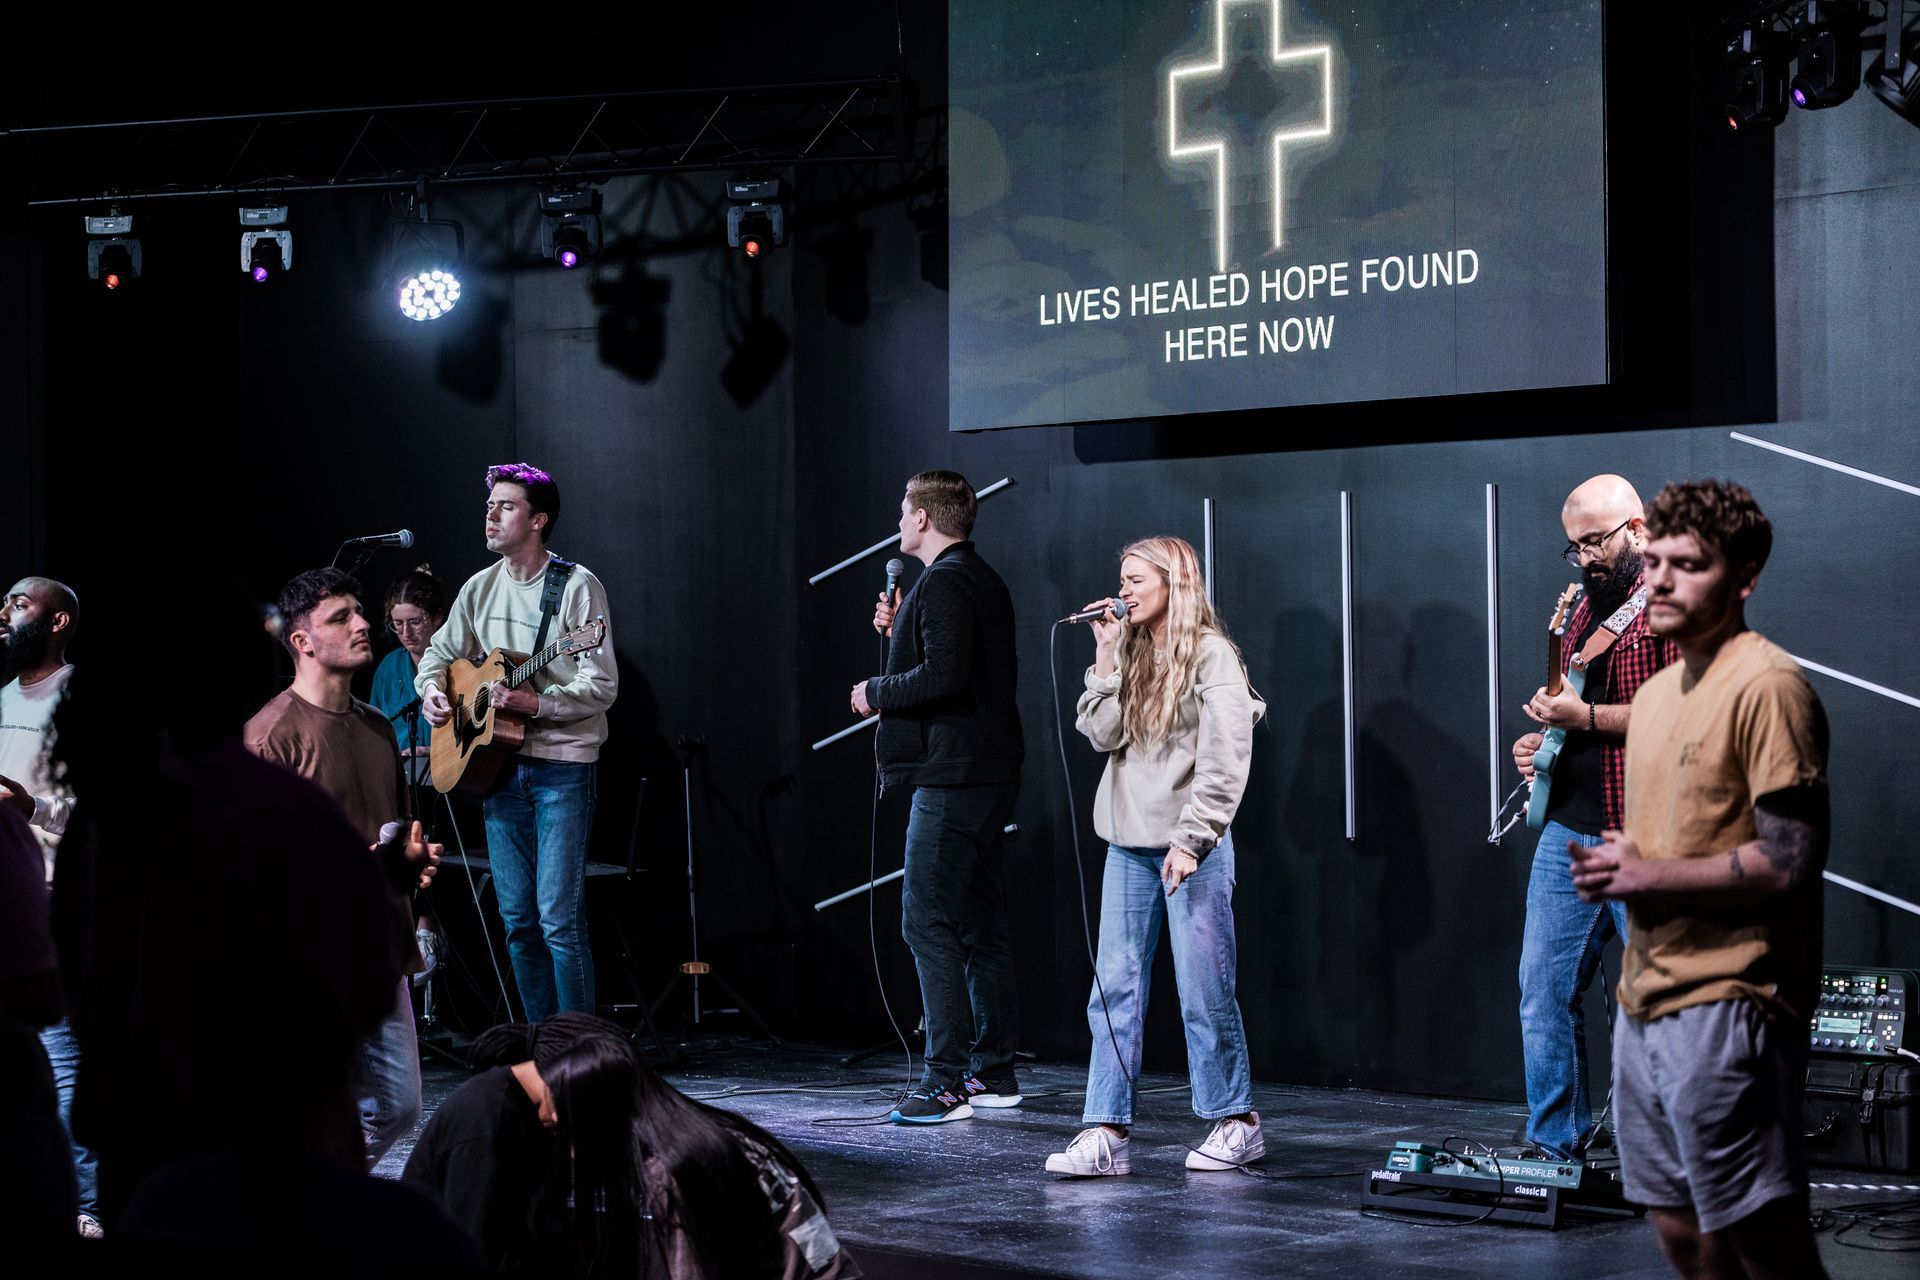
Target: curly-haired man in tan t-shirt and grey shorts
pixel 1719 866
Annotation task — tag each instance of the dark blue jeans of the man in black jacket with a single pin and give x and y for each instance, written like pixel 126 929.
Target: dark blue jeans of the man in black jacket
pixel 953 916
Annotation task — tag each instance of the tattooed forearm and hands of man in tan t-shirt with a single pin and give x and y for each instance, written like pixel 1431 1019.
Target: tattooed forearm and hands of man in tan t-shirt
pixel 1788 853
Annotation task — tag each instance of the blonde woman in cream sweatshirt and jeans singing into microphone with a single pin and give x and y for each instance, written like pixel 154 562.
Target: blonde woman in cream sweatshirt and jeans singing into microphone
pixel 1170 705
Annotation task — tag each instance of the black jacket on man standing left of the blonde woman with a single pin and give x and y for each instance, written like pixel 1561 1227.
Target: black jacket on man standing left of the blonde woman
pixel 948 715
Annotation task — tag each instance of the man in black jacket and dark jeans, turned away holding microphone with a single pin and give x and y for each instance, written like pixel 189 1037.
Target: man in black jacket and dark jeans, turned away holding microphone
pixel 951 732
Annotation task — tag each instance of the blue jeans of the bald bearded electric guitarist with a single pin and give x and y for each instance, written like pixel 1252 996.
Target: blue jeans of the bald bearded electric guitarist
pixel 1560 955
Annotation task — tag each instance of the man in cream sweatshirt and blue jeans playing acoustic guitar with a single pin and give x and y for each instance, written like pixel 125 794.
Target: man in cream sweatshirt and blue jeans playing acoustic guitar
pixel 540 815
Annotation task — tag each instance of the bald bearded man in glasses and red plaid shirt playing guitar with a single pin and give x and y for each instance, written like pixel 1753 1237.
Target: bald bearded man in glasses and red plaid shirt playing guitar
pixel 1566 937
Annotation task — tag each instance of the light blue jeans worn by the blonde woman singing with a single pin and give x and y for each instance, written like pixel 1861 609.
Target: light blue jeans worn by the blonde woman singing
pixel 1199 920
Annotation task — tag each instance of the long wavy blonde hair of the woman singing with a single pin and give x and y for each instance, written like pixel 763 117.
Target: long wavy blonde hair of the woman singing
pixel 1151 692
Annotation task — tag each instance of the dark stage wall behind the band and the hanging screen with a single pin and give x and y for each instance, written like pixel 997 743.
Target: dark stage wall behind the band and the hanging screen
pixel 1752 293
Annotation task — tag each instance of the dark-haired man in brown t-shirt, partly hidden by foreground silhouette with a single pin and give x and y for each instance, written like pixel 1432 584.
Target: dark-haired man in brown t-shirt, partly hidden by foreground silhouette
pixel 322 732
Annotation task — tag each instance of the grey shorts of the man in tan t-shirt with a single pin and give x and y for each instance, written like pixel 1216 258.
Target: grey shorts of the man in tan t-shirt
pixel 1708 1106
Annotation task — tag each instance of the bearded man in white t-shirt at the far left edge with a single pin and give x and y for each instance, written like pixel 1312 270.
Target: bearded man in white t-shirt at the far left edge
pixel 36 625
